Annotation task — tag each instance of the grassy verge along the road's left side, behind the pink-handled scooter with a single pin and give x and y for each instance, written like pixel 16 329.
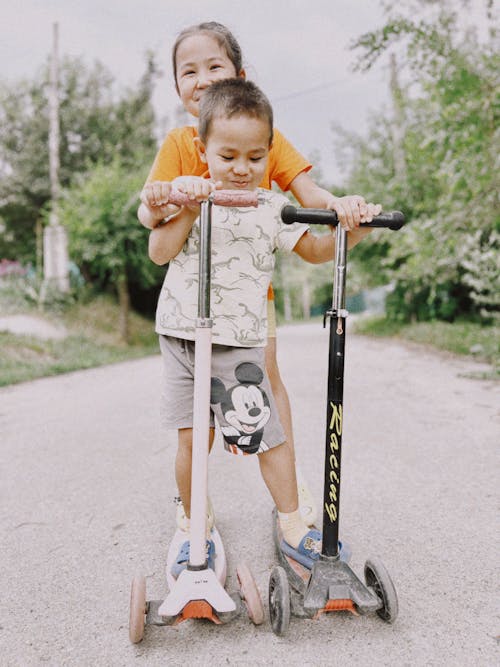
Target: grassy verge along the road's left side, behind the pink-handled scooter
pixel 92 340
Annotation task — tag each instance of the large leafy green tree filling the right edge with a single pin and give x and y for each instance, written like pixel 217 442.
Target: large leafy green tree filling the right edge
pixel 443 263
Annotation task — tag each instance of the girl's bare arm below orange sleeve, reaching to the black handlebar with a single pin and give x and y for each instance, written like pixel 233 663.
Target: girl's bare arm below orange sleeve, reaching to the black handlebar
pixel 352 210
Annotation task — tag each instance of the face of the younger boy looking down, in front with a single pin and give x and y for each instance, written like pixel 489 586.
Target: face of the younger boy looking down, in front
pixel 236 151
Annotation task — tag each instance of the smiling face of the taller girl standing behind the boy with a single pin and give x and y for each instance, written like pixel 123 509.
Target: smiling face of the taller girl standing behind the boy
pixel 200 60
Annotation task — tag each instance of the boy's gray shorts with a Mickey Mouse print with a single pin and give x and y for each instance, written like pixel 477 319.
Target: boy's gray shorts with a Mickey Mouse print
pixel 241 396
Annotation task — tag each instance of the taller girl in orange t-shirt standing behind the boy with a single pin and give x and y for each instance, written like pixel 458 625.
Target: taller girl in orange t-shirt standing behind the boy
pixel 201 55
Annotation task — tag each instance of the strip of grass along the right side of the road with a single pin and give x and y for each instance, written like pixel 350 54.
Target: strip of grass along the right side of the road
pixel 463 338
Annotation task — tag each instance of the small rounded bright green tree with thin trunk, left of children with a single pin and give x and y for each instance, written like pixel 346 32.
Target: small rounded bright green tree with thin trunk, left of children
pixel 105 238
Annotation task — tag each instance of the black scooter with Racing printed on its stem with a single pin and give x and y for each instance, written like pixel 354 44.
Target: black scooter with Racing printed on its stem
pixel 331 585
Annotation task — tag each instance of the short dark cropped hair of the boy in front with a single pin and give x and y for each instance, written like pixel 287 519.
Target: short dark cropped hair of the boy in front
pixel 233 97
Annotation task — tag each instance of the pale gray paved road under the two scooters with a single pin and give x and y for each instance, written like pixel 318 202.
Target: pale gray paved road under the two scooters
pixel 86 488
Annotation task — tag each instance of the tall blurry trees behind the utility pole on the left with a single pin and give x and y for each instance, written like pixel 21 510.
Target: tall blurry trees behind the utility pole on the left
pixel 96 125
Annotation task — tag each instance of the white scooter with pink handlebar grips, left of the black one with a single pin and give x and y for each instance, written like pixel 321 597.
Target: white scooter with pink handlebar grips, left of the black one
pixel 199 591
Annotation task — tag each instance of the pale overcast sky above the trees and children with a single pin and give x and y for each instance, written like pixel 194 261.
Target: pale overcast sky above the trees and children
pixel 295 50
